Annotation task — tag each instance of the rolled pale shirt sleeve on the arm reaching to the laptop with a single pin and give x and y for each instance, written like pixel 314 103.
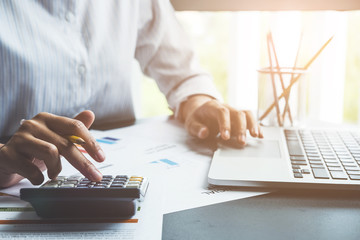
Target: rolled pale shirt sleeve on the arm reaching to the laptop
pixel 165 54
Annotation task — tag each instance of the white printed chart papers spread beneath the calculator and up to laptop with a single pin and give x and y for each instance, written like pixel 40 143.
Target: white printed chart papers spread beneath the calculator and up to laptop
pixel 175 163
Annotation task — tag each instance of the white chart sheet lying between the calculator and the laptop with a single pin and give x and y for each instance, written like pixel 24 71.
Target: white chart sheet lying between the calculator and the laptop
pixel 163 151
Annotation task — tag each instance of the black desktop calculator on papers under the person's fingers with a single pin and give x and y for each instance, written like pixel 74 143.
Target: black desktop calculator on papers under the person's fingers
pixel 78 197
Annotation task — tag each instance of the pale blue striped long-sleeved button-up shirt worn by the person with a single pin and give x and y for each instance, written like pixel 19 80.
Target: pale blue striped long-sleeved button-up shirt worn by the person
pixel 63 57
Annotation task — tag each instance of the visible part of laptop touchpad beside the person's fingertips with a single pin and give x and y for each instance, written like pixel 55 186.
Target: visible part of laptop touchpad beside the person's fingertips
pixel 255 148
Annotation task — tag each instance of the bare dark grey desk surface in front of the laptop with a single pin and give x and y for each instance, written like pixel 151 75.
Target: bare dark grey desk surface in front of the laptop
pixel 279 215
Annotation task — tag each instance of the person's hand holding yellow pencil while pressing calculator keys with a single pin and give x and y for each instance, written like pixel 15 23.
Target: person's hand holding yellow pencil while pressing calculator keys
pixel 38 144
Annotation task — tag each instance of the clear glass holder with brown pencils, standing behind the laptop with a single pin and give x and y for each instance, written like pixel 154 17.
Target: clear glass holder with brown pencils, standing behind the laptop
pixel 289 85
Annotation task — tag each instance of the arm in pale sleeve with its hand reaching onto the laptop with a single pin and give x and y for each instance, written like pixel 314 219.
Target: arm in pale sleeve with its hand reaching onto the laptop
pixel 165 54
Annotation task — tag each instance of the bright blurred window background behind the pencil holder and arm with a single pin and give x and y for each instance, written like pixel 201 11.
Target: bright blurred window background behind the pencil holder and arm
pixel 231 45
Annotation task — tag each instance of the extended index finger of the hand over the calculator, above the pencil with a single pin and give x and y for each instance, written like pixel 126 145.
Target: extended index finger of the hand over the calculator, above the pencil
pixel 66 126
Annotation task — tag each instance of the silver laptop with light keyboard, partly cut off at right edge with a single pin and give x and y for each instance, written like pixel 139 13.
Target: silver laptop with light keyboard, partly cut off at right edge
pixel 291 158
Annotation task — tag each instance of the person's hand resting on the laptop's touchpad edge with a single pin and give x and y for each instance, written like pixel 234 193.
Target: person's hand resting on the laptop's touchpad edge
pixel 206 117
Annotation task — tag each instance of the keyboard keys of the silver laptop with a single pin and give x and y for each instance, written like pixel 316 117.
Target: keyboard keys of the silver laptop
pixel 324 154
